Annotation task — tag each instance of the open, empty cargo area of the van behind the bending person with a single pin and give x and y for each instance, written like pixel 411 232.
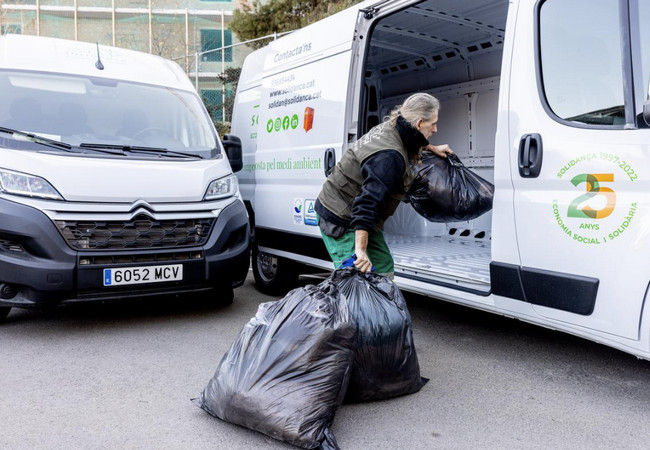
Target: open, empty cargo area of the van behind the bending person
pixel 433 47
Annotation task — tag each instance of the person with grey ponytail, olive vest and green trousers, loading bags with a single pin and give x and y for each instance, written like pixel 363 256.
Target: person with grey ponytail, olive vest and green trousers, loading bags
pixel 370 180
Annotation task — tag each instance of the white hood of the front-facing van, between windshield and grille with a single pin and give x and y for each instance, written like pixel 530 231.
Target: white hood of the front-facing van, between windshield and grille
pixel 112 180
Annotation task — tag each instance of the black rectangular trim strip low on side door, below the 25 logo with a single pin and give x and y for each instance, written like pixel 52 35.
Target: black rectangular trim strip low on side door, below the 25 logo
pixel 557 290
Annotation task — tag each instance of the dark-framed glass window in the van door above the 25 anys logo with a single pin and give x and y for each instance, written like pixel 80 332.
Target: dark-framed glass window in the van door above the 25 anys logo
pixel 580 46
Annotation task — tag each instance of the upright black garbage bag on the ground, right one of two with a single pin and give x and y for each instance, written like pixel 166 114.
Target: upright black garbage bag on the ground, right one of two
pixel 385 364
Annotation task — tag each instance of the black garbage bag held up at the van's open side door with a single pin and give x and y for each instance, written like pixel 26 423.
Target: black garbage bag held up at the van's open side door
pixel 444 190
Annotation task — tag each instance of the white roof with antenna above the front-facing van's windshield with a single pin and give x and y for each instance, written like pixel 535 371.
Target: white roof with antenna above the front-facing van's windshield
pixel 45 54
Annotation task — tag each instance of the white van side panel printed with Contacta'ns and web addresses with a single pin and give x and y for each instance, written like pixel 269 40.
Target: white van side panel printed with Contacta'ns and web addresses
pixel 299 119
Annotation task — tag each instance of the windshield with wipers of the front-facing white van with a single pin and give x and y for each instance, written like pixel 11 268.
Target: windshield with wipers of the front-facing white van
pixel 100 112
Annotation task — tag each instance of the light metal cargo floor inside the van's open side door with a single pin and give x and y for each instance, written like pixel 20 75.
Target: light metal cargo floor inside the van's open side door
pixel 454 260
